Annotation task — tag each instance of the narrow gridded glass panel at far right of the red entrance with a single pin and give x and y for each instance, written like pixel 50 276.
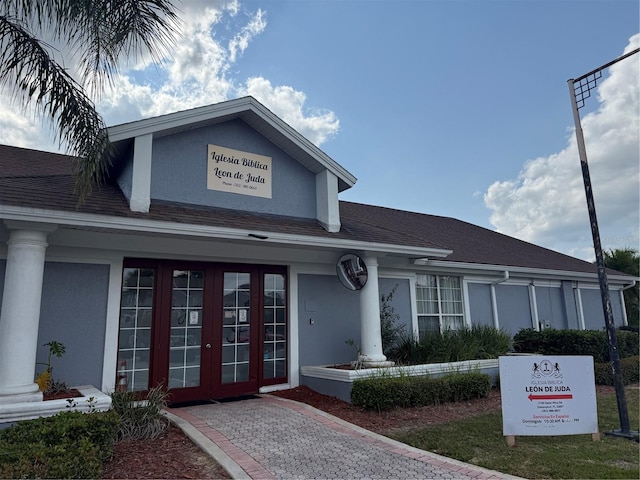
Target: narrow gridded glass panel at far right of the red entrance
pixel 274 348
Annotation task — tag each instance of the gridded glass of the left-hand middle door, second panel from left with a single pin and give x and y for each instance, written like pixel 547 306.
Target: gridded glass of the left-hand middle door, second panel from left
pixel 186 328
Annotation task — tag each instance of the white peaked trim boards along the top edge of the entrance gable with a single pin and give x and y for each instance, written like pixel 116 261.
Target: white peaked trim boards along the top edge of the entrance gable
pixel 229 108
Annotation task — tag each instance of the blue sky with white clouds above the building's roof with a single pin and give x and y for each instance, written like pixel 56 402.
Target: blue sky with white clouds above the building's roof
pixel 454 108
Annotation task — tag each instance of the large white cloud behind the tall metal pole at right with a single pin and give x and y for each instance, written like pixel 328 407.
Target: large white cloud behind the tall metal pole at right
pixel 546 203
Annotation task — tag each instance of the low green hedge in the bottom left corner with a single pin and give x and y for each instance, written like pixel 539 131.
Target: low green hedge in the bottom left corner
pixel 67 445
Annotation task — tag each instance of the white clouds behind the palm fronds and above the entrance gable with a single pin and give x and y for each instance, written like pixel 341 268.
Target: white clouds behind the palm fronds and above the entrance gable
pixel 214 35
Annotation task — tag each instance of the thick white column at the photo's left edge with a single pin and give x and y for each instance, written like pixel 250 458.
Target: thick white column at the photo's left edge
pixel 20 314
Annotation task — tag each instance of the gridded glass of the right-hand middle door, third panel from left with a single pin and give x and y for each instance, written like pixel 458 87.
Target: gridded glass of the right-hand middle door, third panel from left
pixel 236 327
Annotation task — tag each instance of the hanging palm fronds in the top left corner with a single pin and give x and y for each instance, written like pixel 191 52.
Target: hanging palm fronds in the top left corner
pixel 101 33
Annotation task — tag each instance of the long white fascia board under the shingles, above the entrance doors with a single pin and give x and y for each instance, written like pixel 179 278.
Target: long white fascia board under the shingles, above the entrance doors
pixel 192 230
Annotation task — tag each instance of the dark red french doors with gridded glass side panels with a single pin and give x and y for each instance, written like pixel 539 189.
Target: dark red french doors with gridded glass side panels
pixel 218 330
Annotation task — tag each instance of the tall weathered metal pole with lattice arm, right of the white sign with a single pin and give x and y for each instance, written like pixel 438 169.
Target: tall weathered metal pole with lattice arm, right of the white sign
pixel 580 89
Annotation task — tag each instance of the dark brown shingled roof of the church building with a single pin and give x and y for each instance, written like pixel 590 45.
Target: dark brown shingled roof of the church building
pixel 41 180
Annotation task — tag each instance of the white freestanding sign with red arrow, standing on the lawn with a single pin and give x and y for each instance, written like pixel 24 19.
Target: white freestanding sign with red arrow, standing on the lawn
pixel 548 395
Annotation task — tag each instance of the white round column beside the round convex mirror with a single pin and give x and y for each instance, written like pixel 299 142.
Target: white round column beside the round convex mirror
pixel 370 334
